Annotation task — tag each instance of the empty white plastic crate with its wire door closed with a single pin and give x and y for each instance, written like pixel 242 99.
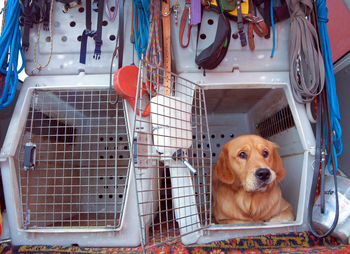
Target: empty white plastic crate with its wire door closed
pixel 66 167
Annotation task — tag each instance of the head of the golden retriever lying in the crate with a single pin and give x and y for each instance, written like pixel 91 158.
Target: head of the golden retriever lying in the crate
pixel 251 162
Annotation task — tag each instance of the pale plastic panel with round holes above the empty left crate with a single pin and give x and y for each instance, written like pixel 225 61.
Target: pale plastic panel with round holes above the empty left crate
pixel 67 29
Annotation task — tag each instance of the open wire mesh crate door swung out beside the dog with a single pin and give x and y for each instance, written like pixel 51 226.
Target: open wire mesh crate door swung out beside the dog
pixel 172 157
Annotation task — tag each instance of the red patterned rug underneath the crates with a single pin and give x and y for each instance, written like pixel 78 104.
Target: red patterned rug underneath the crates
pixel 303 242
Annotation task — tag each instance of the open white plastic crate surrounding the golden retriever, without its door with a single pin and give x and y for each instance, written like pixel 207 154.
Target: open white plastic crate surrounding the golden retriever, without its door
pixel 240 105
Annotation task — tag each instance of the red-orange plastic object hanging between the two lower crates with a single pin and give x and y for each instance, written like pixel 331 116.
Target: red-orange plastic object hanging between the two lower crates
pixel 125 84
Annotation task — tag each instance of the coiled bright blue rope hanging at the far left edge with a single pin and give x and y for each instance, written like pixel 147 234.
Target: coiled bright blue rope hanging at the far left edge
pixel 10 45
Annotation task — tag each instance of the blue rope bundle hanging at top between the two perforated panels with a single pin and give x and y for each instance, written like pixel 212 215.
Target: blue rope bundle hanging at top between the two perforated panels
pixel 141 26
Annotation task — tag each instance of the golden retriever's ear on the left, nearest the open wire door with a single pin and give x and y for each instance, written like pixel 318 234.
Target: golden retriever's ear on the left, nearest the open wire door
pixel 223 168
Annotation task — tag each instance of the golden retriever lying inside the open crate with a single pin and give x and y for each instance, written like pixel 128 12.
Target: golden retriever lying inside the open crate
pixel 245 183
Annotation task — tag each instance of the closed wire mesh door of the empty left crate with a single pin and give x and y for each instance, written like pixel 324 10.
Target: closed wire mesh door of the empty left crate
pixel 79 173
